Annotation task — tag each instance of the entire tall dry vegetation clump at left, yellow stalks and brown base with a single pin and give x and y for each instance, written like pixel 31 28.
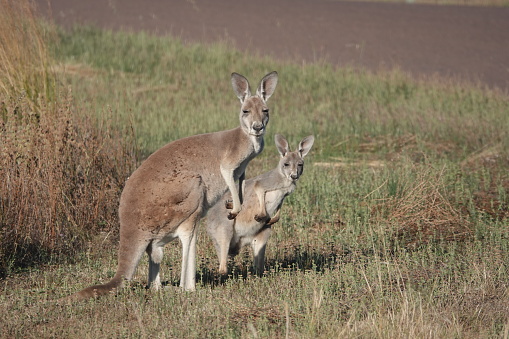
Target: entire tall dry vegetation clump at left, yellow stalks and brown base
pixel 60 172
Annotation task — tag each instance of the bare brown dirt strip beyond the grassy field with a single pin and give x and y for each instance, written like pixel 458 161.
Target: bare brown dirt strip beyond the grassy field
pixel 465 43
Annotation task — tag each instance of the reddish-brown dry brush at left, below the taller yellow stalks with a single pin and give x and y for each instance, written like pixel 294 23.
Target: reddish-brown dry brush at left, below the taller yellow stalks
pixel 61 178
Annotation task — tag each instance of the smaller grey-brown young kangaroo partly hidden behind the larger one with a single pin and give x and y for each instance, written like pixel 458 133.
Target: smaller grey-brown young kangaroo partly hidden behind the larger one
pixel 264 196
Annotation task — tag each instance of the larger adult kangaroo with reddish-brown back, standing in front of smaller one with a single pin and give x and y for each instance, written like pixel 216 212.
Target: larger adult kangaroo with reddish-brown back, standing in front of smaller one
pixel 174 187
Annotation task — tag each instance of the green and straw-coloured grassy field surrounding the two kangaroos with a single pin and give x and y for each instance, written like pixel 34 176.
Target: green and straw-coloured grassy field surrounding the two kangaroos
pixel 398 227
